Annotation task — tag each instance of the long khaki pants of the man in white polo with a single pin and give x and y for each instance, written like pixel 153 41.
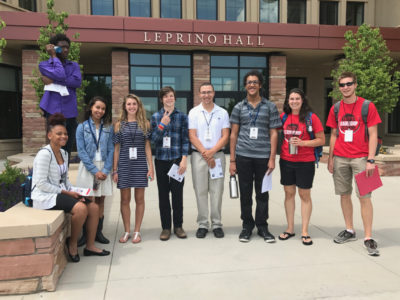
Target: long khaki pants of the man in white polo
pixel 204 185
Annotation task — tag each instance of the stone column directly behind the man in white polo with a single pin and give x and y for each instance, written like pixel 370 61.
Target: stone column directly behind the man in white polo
pixel 201 73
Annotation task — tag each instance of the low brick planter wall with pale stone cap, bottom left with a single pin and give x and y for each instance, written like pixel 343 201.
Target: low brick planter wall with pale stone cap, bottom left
pixel 32 255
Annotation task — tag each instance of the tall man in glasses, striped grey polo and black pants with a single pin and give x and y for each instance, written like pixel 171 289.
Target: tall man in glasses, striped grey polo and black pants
pixel 253 143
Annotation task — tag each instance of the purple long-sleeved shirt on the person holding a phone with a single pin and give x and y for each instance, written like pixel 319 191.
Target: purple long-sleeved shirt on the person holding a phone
pixel 67 74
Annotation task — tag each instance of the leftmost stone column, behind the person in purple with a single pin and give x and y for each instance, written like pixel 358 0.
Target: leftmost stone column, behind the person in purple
pixel 33 124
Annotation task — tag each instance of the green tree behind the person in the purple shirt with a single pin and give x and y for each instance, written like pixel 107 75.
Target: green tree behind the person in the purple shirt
pixel 57 25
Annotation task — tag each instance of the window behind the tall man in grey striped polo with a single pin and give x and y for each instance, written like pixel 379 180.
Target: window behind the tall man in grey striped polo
pixel 227 73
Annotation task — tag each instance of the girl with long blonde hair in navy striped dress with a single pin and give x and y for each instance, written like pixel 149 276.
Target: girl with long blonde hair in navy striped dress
pixel 133 164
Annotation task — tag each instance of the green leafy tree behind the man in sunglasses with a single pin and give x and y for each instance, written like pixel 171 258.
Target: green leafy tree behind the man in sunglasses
pixel 367 56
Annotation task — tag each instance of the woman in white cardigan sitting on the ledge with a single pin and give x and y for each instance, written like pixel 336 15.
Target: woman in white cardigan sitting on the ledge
pixel 51 189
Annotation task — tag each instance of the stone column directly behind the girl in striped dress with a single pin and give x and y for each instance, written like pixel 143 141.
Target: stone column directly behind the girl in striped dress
pixel 120 80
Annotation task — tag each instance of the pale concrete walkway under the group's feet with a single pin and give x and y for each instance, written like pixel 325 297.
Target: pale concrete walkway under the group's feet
pixel 213 268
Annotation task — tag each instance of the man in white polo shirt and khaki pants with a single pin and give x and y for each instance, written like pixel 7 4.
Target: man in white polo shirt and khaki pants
pixel 208 132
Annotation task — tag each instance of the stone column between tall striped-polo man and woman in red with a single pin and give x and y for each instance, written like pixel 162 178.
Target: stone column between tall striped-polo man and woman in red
pixel 277 80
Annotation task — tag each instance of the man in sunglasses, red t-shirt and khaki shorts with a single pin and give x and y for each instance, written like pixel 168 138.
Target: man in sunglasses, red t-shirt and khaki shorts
pixel 351 152
